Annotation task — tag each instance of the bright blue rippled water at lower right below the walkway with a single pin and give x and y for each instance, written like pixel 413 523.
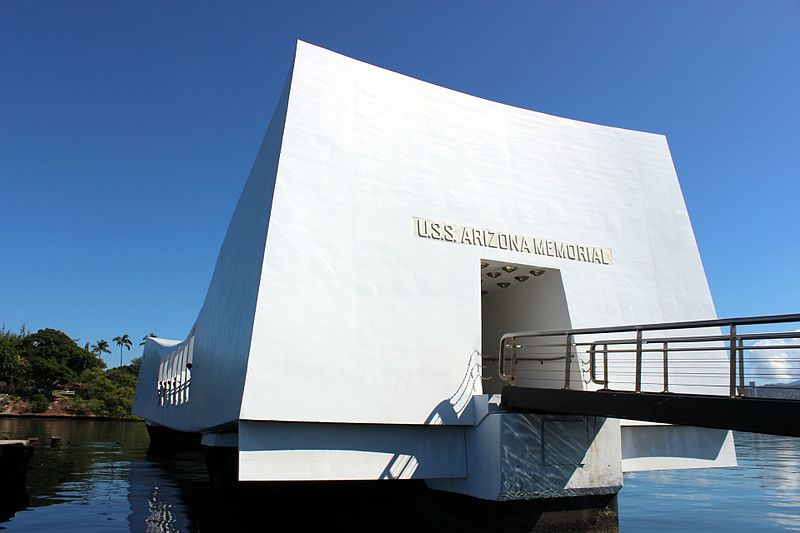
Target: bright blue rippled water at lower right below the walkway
pixel 762 494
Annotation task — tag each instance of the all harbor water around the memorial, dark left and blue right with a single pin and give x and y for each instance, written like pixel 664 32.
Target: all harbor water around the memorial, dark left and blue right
pixel 103 479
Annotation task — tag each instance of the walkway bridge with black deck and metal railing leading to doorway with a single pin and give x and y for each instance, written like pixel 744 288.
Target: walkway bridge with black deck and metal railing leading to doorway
pixel 741 374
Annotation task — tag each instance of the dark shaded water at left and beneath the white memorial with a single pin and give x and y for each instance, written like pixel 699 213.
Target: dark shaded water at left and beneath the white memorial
pixel 103 478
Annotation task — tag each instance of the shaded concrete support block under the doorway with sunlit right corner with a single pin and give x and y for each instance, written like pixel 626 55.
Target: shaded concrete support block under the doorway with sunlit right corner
pixel 513 456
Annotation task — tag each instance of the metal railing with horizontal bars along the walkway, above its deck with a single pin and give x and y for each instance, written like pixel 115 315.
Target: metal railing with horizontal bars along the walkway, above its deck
pixel 752 356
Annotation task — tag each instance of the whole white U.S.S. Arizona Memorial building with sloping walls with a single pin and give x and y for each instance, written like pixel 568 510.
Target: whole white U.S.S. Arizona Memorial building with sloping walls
pixel 390 232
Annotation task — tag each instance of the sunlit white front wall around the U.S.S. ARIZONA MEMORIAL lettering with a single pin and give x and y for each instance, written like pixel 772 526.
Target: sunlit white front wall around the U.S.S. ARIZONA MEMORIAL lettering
pixel 359 319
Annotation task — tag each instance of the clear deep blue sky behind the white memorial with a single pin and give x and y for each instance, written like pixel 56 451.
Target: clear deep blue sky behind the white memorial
pixel 127 129
